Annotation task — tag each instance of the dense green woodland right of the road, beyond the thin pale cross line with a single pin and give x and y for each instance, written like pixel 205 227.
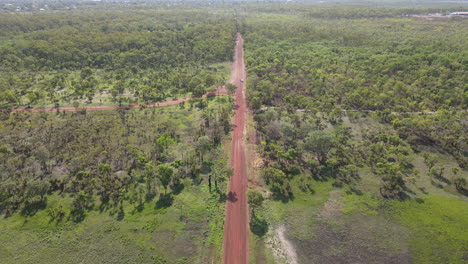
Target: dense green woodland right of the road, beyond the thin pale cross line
pixel 399 63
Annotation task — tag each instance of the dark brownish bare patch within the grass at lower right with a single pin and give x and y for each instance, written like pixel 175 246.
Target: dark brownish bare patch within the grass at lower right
pixel 359 239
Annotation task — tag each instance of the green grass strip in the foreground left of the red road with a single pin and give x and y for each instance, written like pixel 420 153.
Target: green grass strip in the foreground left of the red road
pixel 187 230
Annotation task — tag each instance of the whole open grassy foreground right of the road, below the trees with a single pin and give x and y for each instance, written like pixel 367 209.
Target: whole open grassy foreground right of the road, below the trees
pixel 430 229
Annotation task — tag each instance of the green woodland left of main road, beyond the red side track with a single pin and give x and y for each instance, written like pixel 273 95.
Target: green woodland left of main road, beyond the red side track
pixel 112 55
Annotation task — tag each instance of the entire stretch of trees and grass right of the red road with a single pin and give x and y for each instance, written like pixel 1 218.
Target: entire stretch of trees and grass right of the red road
pixel 360 115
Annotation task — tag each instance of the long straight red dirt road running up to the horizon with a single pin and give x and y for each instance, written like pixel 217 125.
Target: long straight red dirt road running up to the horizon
pixel 235 224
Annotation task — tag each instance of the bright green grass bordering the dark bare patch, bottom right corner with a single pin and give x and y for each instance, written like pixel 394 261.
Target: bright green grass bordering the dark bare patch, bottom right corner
pixel 436 224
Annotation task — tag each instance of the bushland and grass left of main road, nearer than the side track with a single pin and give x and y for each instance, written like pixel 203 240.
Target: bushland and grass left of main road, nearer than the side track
pixel 125 186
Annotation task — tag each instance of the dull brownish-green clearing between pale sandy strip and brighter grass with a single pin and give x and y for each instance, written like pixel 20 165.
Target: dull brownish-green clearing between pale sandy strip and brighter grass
pixel 321 233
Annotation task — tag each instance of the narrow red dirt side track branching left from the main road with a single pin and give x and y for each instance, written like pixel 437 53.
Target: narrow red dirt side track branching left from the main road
pixel 220 91
